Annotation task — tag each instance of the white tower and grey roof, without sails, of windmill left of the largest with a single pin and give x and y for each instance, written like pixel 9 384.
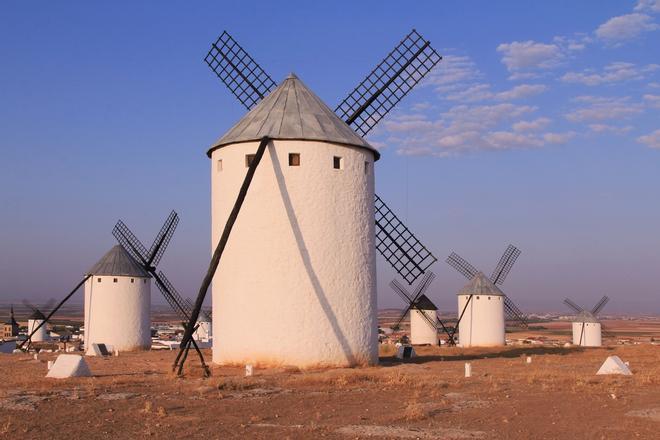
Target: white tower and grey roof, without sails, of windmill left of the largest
pixel 118 303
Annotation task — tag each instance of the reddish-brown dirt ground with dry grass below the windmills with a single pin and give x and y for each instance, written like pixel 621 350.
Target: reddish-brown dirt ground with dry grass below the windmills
pixel 134 395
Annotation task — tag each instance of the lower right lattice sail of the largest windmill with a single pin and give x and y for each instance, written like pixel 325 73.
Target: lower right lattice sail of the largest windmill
pixel 405 253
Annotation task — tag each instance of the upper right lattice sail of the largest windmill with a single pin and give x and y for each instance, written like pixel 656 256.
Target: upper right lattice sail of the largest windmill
pixel 392 79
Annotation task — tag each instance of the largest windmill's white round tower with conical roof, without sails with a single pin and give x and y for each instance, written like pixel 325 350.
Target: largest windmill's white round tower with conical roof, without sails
pixel 297 281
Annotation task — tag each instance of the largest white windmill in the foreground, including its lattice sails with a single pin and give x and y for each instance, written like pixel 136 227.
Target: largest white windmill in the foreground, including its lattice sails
pixel 297 280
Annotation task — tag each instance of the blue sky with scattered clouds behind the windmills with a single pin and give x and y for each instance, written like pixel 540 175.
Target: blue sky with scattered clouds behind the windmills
pixel 540 128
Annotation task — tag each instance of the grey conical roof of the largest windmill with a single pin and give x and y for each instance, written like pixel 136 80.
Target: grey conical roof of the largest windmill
pixel 292 111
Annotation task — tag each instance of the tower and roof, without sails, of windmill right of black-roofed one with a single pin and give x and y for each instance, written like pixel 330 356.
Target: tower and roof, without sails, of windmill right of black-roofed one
pixel 482 324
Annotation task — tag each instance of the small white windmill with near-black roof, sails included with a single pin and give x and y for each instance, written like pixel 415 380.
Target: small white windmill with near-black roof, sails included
pixel 423 313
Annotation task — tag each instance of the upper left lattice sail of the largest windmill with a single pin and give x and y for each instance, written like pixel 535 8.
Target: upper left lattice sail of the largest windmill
pixel 244 78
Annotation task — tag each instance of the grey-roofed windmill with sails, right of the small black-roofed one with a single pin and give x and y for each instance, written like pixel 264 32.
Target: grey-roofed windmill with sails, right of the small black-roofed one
pixel 491 326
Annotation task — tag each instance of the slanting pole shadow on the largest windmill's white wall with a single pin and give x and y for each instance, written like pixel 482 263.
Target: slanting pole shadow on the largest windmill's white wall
pixel 306 260
